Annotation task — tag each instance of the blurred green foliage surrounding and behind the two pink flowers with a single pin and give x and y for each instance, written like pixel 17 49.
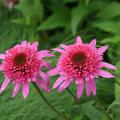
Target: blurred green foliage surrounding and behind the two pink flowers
pixel 52 22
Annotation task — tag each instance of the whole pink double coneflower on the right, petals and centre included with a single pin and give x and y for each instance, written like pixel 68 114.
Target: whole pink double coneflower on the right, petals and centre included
pixel 81 63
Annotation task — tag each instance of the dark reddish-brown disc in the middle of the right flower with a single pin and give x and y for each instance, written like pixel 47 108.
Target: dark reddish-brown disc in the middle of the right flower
pixel 79 58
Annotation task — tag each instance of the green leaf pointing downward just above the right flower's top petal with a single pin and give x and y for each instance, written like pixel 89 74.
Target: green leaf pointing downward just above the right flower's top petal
pixel 78 15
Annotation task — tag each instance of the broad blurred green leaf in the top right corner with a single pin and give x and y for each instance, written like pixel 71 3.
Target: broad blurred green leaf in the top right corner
pixel 110 11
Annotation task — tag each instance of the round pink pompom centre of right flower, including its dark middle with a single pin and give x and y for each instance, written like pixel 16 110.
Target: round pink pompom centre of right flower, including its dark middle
pixel 80 61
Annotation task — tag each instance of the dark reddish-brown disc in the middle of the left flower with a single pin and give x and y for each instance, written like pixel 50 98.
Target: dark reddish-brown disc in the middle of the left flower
pixel 20 59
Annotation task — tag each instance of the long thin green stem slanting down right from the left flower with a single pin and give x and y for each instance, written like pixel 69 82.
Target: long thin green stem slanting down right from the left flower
pixel 63 117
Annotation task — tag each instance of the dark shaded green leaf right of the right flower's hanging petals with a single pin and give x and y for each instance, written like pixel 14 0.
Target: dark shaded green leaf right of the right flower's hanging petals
pixel 105 90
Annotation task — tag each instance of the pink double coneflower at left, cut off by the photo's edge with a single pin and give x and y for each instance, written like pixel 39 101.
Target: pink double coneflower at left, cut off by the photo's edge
pixel 23 64
